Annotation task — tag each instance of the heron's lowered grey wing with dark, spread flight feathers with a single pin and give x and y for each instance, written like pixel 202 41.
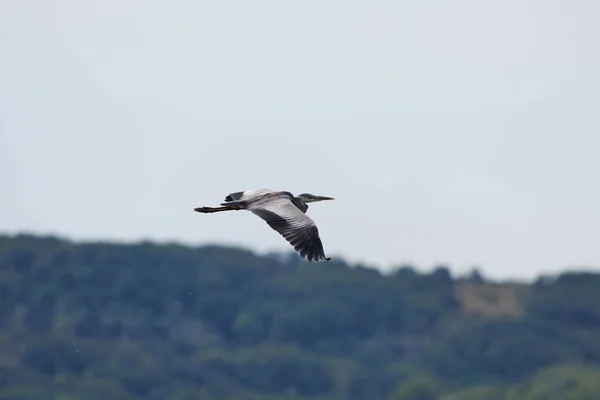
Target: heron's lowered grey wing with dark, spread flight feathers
pixel 295 226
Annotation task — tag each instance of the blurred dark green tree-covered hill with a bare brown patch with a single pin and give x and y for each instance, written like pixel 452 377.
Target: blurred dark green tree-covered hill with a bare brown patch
pixel 147 321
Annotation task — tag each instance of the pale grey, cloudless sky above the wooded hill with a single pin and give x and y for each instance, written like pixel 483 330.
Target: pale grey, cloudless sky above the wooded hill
pixel 465 132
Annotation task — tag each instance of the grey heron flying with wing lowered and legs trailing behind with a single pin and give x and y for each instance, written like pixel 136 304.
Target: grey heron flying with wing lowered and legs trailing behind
pixel 283 212
